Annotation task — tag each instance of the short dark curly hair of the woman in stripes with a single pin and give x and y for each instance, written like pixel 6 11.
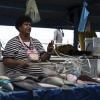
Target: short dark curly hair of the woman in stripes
pixel 21 20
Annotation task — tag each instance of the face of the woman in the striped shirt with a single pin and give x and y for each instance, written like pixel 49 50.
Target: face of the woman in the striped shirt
pixel 25 28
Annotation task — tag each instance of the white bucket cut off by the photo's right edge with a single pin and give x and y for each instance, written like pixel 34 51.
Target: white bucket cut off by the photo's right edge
pixel 96 46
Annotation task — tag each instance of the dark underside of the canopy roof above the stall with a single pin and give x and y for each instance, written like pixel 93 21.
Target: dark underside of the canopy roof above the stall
pixel 53 13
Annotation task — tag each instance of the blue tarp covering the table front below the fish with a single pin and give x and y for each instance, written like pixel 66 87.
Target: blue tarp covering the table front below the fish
pixel 89 92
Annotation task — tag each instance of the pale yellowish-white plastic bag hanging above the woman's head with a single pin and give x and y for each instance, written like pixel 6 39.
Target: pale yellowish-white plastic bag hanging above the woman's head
pixel 32 11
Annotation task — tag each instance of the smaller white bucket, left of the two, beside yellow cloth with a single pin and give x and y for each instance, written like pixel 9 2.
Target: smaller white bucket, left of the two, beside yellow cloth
pixel 88 44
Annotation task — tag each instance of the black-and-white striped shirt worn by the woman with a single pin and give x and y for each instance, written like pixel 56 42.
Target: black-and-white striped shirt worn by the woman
pixel 15 50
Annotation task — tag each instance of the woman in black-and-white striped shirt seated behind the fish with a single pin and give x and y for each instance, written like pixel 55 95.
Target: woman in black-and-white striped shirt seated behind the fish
pixel 23 49
